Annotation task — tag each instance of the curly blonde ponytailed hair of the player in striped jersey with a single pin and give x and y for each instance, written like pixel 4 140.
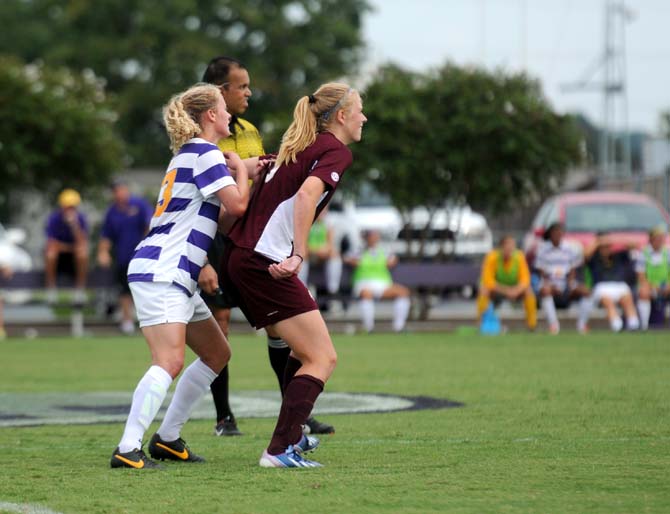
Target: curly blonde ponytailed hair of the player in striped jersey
pixel 182 113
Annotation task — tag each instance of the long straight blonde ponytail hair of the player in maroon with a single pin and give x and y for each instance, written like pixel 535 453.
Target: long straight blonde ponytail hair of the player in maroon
pixel 313 114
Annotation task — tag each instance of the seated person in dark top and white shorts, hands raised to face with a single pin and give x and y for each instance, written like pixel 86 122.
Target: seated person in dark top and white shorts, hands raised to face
pixel 609 271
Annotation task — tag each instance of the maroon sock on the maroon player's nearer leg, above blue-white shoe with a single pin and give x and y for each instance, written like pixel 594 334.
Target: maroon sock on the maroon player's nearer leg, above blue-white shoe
pixel 299 398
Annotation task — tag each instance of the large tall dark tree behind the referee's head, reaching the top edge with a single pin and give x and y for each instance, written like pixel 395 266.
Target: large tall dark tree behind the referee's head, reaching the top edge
pixel 147 50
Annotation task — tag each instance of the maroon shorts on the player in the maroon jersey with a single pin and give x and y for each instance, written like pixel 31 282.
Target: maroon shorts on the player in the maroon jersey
pixel 263 299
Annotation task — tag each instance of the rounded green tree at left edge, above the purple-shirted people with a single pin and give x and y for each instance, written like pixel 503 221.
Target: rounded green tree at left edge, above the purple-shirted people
pixel 57 130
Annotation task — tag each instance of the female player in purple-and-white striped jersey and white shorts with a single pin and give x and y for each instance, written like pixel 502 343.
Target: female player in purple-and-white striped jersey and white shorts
pixel 164 270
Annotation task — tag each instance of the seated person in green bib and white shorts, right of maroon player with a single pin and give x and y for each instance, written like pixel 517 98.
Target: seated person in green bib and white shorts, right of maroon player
pixel 372 280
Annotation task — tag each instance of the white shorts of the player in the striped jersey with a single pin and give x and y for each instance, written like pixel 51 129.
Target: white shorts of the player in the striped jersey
pixel 161 302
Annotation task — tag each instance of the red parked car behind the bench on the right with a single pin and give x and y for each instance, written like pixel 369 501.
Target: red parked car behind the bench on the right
pixel 627 216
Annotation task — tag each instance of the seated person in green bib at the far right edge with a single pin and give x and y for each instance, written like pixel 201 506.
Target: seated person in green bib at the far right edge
pixel 653 274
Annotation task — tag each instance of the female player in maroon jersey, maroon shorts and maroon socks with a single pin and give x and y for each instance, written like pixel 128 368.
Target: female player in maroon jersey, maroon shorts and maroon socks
pixel 270 245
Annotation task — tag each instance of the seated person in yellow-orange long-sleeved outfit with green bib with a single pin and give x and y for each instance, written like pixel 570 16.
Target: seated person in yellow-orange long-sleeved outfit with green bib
pixel 505 274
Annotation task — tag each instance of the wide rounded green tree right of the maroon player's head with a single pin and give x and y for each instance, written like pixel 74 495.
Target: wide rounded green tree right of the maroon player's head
pixel 462 135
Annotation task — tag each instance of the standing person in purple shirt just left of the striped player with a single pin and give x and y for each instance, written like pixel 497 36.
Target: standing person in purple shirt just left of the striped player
pixel 126 223
